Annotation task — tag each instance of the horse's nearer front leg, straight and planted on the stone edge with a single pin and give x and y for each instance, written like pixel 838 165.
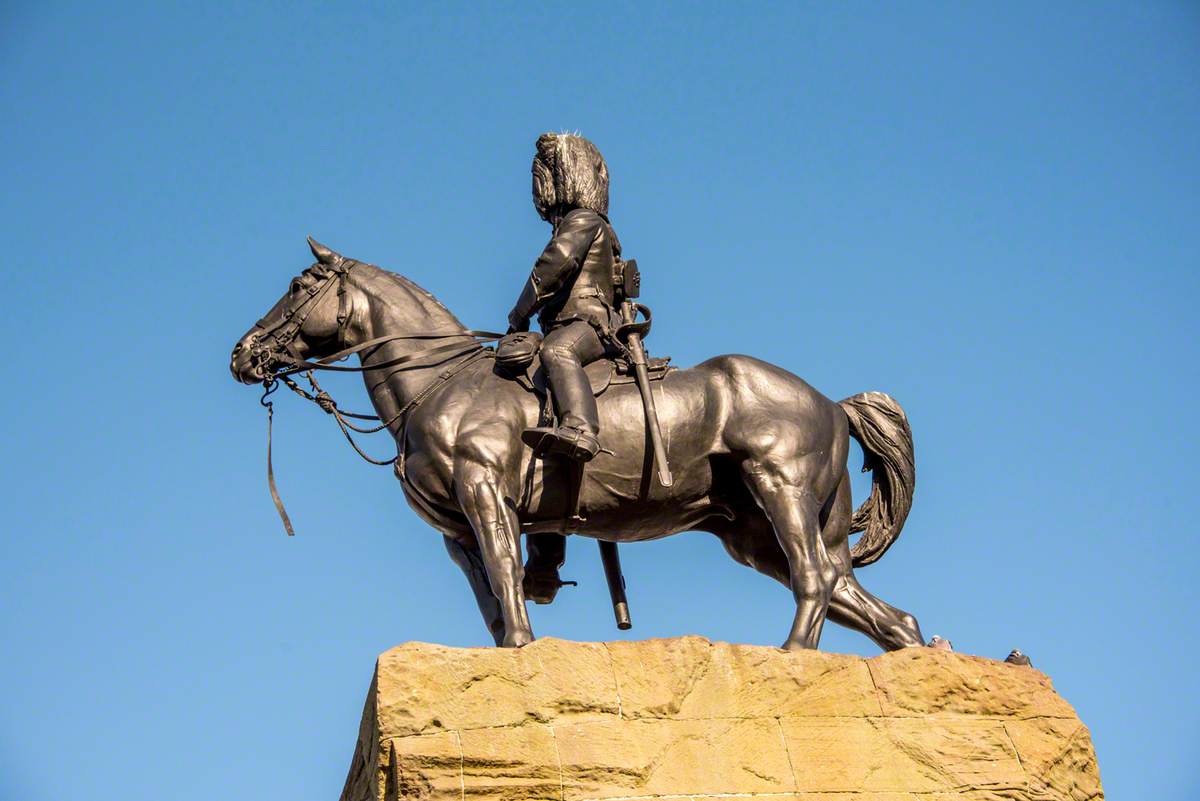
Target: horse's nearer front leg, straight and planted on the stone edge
pixel 482 497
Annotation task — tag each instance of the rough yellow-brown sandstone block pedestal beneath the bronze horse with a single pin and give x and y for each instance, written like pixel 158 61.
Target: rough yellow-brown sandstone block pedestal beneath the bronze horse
pixel 683 719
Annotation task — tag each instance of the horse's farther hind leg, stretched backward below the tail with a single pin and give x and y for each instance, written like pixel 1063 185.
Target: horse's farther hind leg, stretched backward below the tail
pixel 853 606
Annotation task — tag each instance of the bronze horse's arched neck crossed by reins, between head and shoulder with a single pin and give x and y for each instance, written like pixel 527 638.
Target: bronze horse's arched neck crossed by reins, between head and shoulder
pixel 398 306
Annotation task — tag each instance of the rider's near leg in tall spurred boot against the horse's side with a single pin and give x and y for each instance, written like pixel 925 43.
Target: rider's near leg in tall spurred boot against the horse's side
pixel 565 353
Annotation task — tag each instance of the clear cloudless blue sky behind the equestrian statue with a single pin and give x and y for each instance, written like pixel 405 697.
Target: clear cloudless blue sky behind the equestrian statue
pixel 989 212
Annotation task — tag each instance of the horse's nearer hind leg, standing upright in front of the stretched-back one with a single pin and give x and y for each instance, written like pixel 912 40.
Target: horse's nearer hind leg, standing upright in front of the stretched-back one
pixel 785 491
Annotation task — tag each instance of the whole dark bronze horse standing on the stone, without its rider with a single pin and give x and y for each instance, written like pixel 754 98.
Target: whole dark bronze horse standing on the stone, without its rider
pixel 759 456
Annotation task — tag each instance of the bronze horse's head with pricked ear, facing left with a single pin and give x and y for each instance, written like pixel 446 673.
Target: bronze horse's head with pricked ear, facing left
pixel 305 323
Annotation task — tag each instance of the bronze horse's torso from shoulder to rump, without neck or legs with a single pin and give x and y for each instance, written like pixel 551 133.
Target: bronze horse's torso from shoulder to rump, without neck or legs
pixel 716 413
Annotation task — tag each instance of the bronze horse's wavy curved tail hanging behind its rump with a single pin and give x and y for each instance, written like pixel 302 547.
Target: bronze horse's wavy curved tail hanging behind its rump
pixel 881 427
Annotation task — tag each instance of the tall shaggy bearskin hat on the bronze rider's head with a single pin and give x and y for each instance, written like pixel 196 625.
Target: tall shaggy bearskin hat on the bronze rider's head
pixel 568 173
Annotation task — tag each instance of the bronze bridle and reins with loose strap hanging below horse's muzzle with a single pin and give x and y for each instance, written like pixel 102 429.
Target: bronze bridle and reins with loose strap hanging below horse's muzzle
pixel 274 353
